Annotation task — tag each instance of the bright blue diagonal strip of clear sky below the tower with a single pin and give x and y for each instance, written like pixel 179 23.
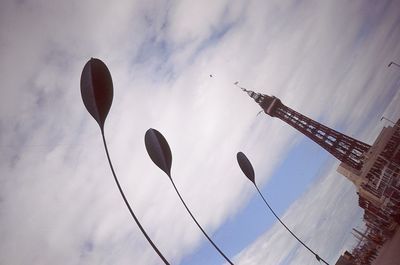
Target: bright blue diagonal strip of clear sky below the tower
pixel 305 163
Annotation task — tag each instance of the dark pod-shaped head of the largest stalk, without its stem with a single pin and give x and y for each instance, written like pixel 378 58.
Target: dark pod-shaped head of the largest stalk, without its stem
pixel 97 90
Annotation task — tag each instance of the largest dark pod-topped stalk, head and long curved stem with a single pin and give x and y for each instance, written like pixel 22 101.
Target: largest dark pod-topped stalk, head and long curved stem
pixel 97 96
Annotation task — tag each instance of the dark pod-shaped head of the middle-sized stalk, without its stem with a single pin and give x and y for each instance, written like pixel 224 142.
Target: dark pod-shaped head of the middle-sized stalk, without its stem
pixel 158 149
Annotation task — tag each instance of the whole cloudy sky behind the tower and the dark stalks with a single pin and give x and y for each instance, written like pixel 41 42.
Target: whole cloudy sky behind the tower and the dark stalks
pixel 58 201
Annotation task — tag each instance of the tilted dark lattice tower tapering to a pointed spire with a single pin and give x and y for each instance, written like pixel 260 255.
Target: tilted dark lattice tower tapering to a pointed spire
pixel 347 149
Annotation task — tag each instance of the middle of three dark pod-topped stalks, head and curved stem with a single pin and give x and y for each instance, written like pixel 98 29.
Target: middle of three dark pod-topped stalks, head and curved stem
pixel 158 149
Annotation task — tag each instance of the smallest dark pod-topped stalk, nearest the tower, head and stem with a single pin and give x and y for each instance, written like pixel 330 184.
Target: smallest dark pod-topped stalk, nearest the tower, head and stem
pixel 248 170
